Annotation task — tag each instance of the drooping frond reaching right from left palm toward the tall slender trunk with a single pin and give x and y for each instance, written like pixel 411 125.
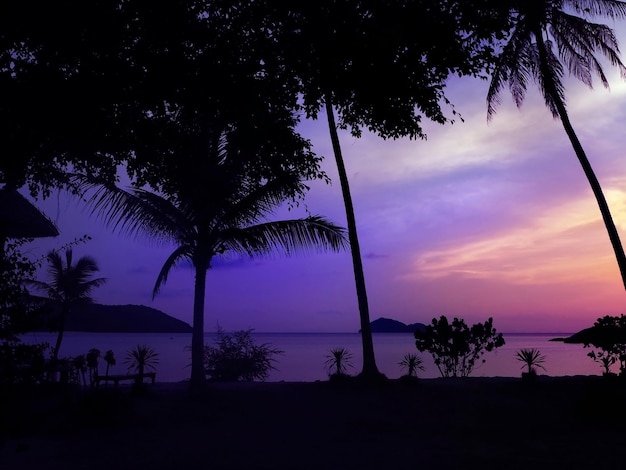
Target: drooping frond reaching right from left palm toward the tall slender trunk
pixel 312 233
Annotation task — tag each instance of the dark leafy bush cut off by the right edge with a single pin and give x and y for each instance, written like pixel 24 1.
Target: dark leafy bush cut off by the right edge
pixel 609 335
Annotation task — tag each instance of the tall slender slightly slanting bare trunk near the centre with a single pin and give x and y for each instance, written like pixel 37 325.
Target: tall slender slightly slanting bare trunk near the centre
pixel 369 360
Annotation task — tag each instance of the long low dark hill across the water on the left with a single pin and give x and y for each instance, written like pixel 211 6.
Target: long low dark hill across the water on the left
pixel 123 319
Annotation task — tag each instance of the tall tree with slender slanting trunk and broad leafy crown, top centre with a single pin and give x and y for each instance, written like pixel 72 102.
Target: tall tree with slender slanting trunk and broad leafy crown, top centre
pixel 383 66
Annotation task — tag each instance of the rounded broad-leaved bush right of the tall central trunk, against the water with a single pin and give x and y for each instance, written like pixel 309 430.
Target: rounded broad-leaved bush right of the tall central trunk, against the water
pixel 455 347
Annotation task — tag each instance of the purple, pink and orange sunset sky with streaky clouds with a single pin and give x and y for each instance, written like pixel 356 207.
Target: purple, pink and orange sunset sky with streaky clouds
pixel 480 220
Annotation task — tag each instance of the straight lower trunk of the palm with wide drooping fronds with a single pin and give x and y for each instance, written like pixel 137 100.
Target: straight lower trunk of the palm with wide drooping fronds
pixel 197 336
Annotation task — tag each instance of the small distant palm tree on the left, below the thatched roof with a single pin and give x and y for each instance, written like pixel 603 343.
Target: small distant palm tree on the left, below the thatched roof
pixel 70 285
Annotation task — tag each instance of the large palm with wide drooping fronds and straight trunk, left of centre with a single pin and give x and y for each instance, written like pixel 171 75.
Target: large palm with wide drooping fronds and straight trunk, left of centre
pixel 222 209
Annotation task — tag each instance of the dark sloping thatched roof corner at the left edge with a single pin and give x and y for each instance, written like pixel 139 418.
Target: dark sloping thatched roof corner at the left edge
pixel 20 219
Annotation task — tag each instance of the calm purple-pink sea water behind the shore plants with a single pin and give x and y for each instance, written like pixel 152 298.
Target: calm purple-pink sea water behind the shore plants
pixel 305 353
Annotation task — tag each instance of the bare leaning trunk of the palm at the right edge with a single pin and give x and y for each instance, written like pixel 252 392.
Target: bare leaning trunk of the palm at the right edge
pixel 584 162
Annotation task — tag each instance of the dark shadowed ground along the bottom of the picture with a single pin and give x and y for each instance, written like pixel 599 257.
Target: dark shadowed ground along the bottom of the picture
pixel 566 422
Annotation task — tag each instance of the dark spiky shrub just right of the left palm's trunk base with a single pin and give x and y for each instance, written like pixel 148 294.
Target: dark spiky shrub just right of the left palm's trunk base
pixel 237 358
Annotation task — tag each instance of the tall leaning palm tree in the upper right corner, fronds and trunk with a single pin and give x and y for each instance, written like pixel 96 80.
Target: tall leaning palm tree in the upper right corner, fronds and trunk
pixel 547 39
